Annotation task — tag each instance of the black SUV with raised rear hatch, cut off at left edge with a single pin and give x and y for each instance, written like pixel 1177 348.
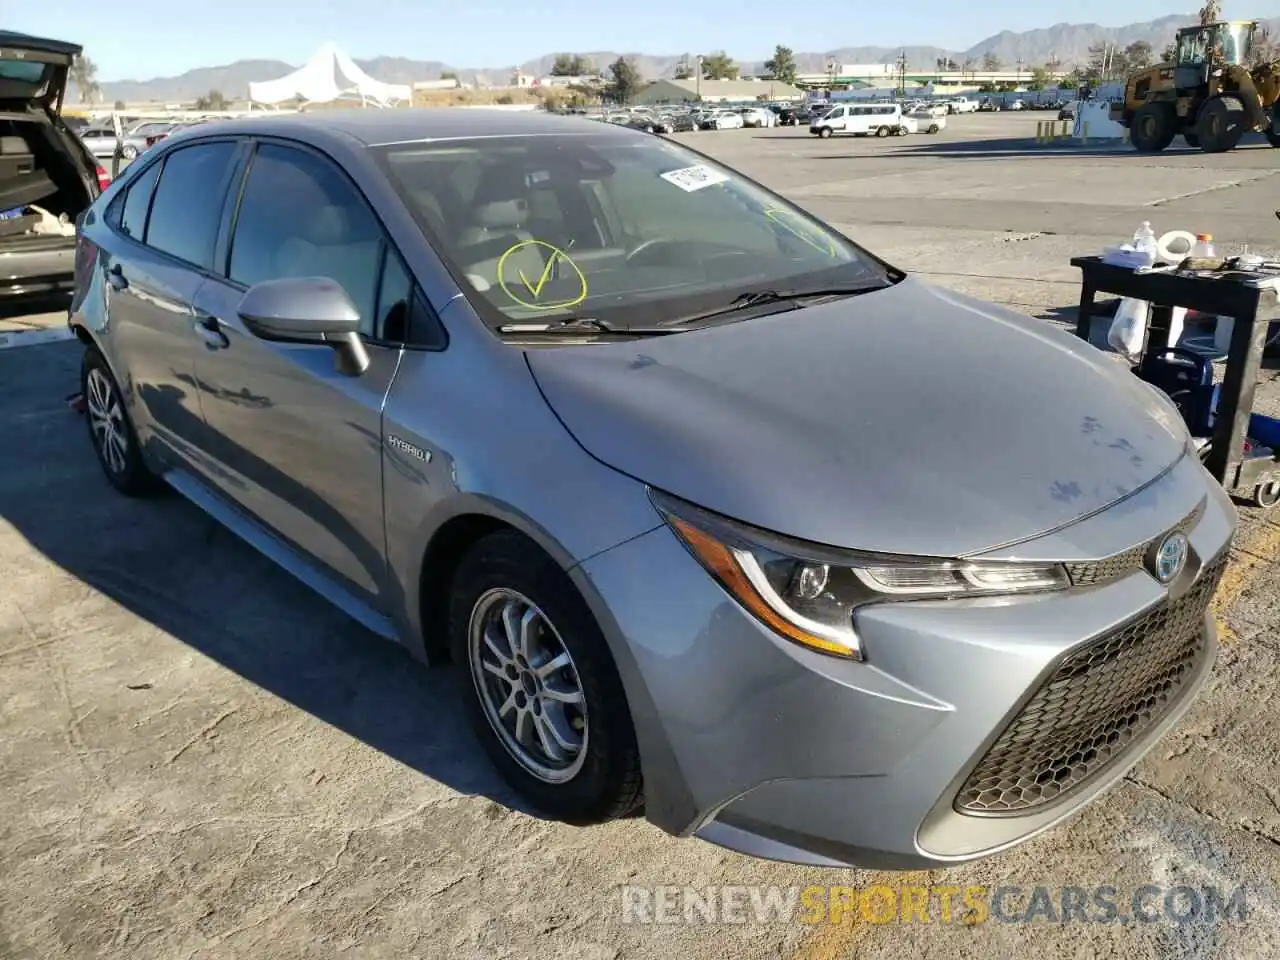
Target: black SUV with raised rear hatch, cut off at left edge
pixel 48 179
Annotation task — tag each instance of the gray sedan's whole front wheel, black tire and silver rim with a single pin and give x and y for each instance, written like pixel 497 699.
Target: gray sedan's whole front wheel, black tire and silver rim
pixel 541 685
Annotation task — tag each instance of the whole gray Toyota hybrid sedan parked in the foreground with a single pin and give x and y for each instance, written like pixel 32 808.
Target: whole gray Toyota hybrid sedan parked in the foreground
pixel 711 509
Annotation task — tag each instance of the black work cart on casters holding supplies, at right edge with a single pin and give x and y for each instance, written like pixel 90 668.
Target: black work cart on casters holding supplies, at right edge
pixel 1252 308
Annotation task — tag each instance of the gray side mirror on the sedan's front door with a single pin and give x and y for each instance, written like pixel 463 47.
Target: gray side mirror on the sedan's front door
pixel 308 310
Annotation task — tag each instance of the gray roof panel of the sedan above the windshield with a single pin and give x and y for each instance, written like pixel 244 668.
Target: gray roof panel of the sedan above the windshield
pixel 374 127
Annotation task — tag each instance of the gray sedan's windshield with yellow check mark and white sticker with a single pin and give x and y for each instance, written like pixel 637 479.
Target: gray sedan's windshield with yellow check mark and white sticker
pixel 623 230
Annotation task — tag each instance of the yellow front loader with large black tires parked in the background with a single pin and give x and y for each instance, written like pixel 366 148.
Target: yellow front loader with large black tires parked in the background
pixel 1209 95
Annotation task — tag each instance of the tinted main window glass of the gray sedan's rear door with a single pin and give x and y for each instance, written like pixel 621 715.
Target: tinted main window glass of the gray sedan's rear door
pixel 189 202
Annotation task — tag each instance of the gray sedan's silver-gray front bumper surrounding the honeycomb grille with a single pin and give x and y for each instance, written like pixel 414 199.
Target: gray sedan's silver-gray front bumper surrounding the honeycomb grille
pixel 771 749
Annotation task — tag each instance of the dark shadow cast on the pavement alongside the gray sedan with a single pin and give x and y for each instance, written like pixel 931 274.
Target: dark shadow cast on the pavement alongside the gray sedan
pixel 167 564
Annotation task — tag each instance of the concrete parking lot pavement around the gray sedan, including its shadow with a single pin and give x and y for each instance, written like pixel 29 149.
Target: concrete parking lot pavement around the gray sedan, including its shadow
pixel 203 760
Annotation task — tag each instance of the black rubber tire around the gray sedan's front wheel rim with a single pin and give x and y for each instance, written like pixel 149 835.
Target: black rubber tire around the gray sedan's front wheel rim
pixel 609 783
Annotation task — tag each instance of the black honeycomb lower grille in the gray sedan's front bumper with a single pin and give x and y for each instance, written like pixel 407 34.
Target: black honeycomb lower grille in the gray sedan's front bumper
pixel 1099 701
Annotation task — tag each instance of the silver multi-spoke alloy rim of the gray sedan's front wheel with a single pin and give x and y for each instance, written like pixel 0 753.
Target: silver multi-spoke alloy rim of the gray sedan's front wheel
pixel 529 688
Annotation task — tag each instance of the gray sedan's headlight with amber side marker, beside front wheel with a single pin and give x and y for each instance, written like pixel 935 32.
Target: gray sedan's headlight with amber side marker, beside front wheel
pixel 810 593
